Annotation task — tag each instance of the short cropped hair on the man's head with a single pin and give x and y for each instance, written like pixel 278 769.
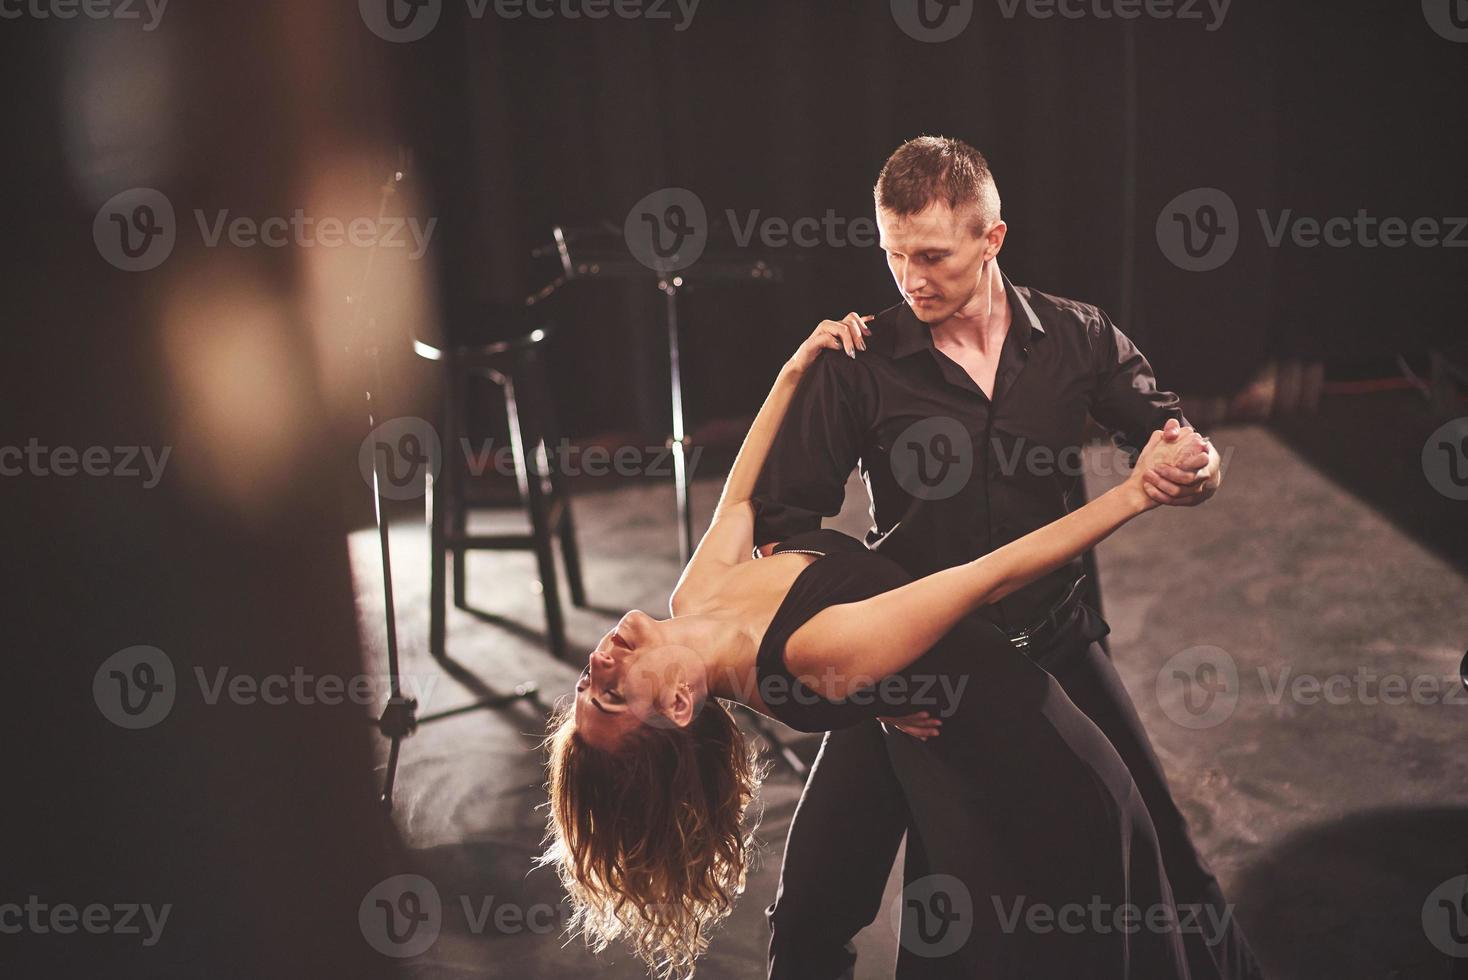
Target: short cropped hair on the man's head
pixel 933 169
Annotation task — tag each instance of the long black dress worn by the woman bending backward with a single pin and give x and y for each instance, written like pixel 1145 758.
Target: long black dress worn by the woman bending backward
pixel 1042 860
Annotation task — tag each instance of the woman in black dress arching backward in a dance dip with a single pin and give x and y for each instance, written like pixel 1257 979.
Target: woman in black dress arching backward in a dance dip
pixel 651 777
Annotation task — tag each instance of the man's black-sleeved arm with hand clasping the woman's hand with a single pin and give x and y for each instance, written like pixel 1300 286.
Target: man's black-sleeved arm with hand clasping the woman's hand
pixel 1130 406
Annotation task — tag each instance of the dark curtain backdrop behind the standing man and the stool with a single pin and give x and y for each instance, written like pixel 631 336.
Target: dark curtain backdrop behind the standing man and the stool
pixel 1090 125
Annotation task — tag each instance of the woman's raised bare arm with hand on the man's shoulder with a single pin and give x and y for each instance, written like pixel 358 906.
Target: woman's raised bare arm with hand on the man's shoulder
pixel 730 538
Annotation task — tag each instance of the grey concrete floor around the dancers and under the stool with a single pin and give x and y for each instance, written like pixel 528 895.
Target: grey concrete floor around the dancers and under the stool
pixel 1329 813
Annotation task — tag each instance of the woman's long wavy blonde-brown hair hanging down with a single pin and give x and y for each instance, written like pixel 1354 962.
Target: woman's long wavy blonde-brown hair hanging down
pixel 651 838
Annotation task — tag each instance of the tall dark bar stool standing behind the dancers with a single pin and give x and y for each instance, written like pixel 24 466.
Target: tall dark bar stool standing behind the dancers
pixel 517 369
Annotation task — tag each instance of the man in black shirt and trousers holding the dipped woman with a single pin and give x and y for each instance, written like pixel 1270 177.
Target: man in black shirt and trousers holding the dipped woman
pixel 965 407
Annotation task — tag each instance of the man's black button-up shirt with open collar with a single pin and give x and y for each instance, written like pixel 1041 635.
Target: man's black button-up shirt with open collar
pixel 952 473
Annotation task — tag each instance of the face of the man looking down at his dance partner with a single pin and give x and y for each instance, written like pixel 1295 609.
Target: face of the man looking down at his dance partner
pixel 936 257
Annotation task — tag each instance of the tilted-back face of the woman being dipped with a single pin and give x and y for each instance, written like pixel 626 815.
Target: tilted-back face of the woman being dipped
pixel 631 680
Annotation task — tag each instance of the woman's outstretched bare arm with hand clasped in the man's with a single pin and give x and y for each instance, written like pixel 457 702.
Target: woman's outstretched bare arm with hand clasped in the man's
pixel 873 639
